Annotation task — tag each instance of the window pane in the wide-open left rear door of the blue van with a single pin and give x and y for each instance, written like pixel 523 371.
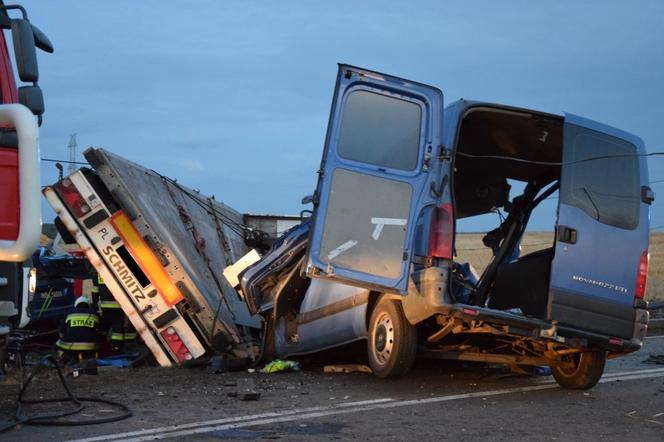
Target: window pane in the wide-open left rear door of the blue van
pixel 380 130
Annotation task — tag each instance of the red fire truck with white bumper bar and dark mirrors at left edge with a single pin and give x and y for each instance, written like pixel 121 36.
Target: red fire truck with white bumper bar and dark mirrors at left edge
pixel 21 110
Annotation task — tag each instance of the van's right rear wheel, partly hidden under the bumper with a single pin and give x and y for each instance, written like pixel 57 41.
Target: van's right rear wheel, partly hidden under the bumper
pixel 588 368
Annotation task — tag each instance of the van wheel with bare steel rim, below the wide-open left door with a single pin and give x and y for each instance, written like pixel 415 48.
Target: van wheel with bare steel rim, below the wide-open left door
pixel 392 340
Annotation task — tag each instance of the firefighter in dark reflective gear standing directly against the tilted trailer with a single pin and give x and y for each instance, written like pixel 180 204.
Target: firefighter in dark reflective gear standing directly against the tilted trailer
pixel 114 322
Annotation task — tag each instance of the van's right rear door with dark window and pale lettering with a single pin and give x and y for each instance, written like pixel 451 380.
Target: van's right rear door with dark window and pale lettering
pixel 602 232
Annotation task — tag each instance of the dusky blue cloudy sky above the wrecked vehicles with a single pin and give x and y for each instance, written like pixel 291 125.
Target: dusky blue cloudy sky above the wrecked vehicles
pixel 233 97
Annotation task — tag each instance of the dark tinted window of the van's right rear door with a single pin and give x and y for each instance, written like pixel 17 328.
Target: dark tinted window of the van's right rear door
pixel 606 189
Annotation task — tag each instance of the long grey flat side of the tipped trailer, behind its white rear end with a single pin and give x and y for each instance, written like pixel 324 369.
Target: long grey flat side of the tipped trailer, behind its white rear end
pixel 196 232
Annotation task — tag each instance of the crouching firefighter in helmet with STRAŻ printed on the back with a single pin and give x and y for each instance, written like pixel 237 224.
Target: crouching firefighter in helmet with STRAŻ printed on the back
pixel 79 335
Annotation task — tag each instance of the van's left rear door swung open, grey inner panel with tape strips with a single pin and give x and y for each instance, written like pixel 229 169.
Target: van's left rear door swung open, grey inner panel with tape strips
pixel 382 132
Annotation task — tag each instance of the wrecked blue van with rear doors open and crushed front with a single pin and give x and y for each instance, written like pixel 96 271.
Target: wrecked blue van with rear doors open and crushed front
pixel 376 260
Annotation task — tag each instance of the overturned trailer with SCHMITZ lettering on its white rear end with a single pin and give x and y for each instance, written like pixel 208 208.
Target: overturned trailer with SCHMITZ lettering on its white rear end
pixel 161 249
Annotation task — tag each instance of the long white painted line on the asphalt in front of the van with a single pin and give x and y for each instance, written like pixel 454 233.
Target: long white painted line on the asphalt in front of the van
pixel 334 410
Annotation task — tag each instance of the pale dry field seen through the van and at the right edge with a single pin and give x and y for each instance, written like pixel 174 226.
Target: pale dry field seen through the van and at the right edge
pixel 470 249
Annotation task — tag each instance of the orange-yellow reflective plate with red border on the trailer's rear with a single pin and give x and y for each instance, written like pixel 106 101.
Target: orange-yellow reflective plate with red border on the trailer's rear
pixel 146 259
